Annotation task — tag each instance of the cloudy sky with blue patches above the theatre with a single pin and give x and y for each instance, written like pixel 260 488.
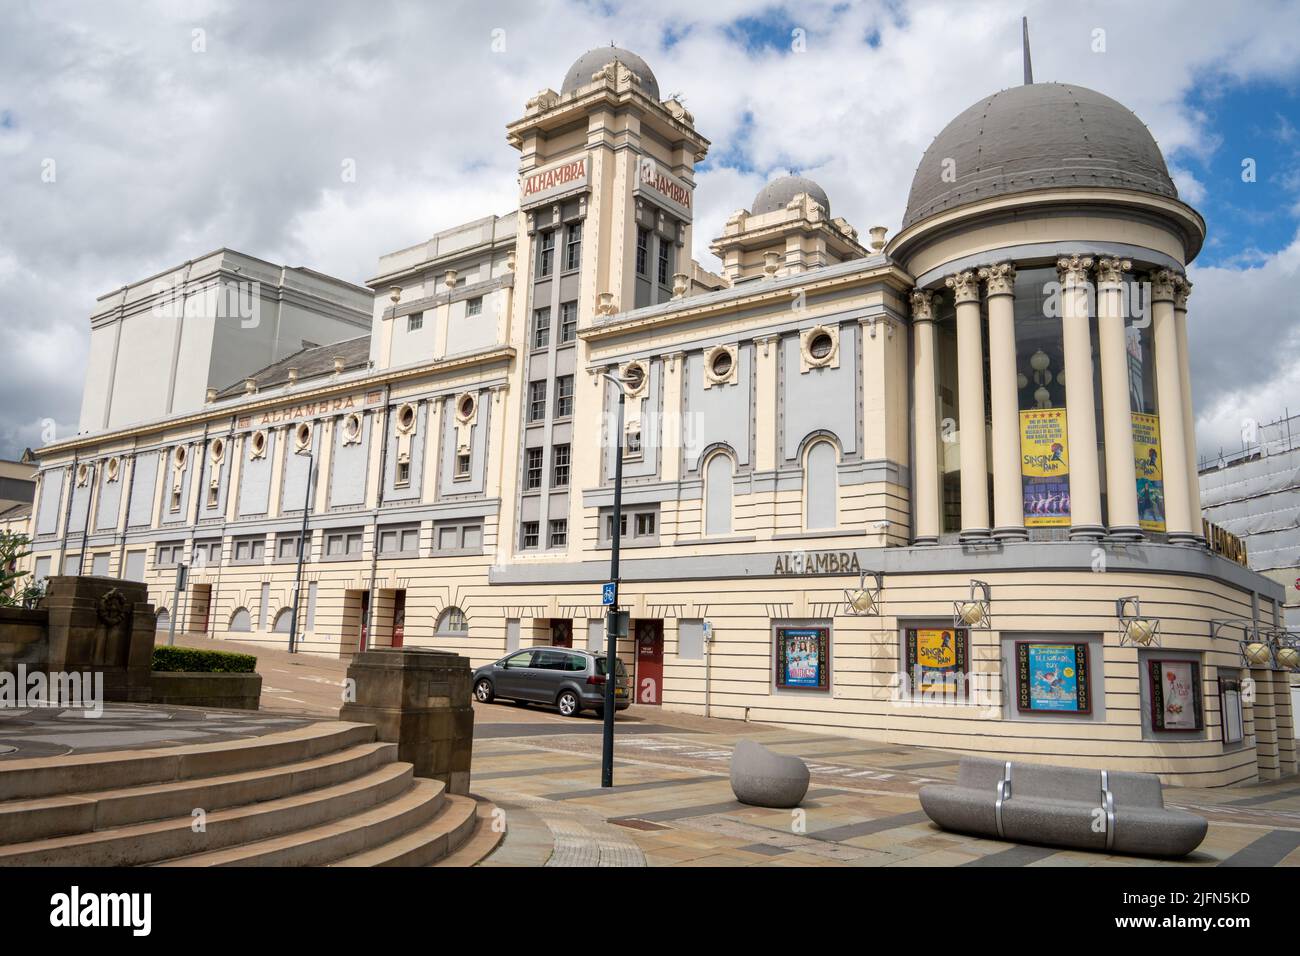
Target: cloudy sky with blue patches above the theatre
pixel 176 127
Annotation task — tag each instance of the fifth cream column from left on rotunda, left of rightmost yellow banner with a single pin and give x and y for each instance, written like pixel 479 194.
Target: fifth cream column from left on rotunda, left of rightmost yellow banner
pixel 1116 409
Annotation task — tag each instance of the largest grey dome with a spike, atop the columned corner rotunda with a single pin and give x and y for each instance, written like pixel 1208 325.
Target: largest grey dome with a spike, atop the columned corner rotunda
pixel 1033 137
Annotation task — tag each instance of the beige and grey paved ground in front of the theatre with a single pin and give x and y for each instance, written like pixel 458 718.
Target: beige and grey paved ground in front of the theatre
pixel 673 803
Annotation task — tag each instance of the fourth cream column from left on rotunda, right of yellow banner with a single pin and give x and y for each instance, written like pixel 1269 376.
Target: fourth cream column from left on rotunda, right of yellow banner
pixel 1081 416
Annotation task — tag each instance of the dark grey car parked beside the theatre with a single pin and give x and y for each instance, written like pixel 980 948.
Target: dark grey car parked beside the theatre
pixel 573 681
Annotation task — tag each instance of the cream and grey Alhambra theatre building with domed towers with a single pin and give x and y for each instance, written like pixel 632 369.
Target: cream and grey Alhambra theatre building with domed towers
pixel 928 488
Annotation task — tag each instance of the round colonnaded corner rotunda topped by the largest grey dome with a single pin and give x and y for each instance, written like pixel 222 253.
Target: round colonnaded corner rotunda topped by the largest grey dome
pixel 1050 245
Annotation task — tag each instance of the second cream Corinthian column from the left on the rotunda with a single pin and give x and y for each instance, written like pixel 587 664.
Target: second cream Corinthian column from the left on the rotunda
pixel 970 405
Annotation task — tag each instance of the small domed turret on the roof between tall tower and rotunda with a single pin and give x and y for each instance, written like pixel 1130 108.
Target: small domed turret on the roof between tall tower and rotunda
pixel 787 230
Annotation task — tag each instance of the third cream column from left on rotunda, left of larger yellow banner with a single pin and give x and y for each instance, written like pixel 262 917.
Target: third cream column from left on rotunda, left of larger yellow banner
pixel 1008 491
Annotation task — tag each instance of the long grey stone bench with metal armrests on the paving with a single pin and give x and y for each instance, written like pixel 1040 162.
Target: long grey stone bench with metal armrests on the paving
pixel 1104 811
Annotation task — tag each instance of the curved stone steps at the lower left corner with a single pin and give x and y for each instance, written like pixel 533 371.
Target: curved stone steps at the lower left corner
pixel 326 794
